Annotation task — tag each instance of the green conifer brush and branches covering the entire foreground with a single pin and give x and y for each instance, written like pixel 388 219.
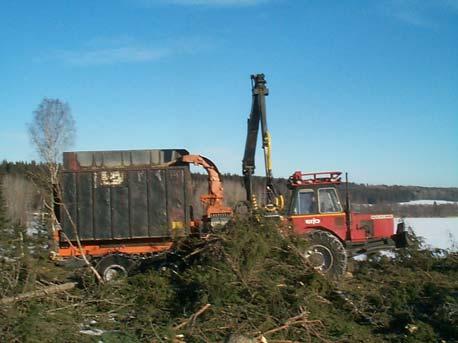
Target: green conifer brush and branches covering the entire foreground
pixel 247 283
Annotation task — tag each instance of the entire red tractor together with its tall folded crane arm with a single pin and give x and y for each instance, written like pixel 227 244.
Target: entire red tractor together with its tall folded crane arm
pixel 314 207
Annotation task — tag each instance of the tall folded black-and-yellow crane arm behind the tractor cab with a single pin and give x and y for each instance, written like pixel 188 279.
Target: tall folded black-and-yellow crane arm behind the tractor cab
pixel 258 116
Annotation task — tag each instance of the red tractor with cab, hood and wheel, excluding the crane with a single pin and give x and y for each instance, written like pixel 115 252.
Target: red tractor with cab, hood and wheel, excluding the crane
pixel 336 233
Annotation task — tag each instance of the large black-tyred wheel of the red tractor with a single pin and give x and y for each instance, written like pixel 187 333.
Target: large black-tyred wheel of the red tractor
pixel 326 254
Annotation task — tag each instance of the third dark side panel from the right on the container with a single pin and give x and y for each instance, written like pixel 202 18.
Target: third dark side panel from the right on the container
pixel 138 203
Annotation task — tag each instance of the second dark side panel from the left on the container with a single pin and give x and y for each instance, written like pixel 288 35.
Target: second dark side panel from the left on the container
pixel 84 214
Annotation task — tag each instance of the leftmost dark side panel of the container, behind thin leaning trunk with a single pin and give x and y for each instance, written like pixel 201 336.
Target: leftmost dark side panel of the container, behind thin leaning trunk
pixel 69 199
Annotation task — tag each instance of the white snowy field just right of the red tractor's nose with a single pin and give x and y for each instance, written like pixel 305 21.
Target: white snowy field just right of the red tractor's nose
pixel 437 232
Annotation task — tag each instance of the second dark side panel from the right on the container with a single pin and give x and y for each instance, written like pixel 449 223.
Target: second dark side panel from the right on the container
pixel 157 204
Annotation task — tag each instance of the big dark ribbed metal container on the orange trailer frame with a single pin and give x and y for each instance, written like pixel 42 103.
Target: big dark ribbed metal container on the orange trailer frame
pixel 124 195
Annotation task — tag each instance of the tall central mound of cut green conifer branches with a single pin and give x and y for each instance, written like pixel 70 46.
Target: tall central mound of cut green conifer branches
pixel 249 279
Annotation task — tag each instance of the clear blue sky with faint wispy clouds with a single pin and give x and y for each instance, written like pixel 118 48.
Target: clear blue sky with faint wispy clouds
pixel 368 87
